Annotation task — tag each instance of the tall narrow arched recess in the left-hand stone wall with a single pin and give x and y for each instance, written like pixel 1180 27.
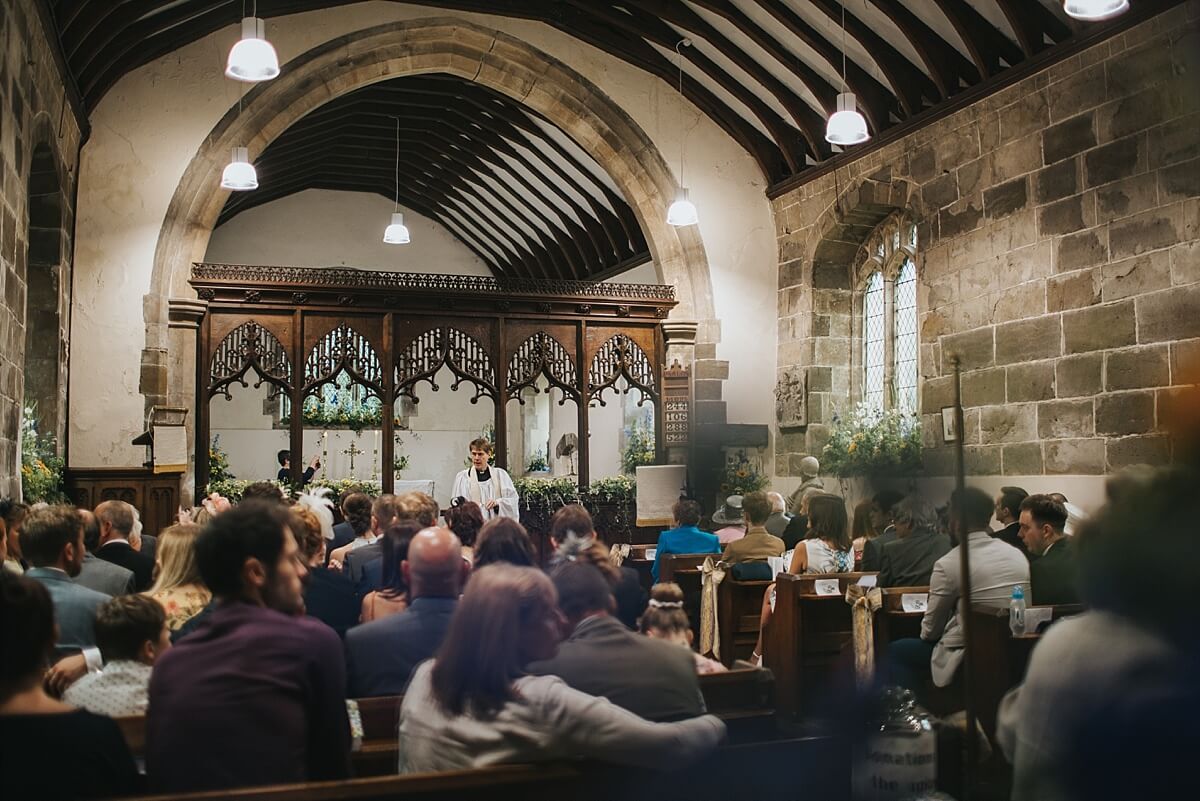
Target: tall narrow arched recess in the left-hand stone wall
pixel 46 279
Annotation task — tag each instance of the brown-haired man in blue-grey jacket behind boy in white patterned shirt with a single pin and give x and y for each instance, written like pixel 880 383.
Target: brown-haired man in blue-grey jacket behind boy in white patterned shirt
pixel 52 539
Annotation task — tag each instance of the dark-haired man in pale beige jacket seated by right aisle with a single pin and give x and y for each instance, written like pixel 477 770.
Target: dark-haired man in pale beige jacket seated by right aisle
pixel 995 568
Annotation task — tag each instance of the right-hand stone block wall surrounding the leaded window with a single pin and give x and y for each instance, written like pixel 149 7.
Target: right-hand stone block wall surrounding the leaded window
pixel 1059 257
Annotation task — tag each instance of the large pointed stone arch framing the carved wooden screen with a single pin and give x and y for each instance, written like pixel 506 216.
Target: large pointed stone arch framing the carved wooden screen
pixel 458 47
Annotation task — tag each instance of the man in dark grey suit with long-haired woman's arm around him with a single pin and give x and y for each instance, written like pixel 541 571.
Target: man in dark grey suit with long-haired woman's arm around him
pixel 651 678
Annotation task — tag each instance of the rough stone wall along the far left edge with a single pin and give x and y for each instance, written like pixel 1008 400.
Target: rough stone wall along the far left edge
pixel 40 140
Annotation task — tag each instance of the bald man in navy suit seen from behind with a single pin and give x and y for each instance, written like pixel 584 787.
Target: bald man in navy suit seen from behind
pixel 382 655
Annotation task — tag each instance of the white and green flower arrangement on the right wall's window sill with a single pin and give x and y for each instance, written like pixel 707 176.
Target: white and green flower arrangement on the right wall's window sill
pixel 874 442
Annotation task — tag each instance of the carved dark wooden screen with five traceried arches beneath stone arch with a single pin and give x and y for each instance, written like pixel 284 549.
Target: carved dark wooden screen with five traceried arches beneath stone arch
pixel 386 378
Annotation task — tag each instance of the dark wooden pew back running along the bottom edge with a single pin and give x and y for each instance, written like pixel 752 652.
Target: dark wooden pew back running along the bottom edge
pixel 797 769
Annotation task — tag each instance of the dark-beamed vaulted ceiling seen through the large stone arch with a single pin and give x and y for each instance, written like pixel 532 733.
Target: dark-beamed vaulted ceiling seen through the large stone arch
pixel 527 202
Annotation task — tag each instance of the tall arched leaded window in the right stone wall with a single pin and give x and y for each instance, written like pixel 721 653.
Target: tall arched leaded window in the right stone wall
pixel 889 327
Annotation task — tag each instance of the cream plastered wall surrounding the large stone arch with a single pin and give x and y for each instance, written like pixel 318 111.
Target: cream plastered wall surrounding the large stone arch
pixel 151 124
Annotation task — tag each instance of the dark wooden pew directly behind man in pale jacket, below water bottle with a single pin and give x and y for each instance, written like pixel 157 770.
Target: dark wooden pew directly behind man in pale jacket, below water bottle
pixel 1001 659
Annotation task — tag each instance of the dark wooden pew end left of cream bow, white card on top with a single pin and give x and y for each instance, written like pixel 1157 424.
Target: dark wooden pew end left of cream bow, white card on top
pixel 807 636
